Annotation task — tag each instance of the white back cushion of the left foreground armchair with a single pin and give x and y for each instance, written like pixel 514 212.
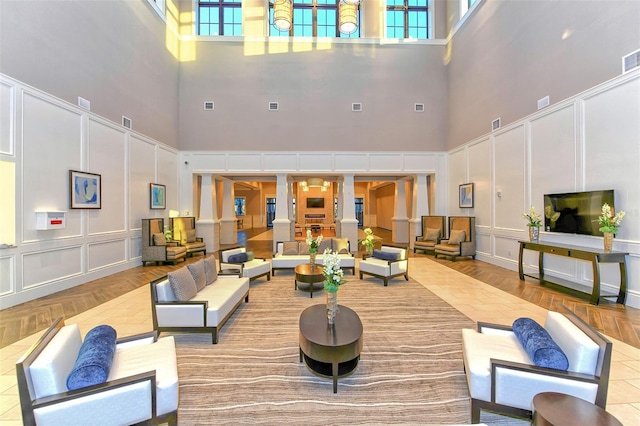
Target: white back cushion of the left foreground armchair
pixel 50 369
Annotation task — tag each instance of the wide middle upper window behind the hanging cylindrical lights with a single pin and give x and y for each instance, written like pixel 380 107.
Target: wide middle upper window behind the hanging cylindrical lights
pixel 313 18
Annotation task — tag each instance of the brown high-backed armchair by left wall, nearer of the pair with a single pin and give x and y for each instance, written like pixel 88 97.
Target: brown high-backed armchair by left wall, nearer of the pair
pixel 155 248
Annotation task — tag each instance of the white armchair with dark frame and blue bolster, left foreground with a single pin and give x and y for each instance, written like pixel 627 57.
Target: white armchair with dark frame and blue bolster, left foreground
pixel 101 381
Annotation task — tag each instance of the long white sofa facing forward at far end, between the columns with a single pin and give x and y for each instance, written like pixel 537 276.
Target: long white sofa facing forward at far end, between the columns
pixel 287 260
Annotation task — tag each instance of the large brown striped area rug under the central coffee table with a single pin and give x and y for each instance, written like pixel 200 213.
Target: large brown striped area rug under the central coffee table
pixel 410 370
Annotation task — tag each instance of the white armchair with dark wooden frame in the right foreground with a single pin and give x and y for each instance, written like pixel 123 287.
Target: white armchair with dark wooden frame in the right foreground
pixel 502 377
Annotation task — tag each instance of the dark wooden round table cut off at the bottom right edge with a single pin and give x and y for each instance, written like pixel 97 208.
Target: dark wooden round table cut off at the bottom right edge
pixel 553 408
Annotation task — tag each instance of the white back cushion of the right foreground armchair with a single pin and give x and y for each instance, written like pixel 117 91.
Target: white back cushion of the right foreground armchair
pixel 581 351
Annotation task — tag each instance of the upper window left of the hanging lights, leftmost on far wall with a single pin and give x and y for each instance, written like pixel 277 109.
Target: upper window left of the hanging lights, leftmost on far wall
pixel 220 17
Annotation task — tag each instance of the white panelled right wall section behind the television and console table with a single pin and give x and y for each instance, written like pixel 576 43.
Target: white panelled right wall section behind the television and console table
pixel 588 142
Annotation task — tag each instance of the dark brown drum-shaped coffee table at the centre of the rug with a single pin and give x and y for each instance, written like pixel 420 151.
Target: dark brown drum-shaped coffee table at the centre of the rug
pixel 330 351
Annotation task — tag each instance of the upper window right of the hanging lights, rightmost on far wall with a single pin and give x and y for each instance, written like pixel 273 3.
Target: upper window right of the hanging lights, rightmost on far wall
pixel 408 19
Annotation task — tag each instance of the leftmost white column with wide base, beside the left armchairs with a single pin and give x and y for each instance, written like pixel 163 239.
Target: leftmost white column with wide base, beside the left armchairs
pixel 207 225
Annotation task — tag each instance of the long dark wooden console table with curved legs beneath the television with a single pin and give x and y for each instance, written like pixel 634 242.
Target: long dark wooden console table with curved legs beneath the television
pixel 594 256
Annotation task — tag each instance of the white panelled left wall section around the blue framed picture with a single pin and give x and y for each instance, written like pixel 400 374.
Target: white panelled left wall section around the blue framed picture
pixel 48 138
